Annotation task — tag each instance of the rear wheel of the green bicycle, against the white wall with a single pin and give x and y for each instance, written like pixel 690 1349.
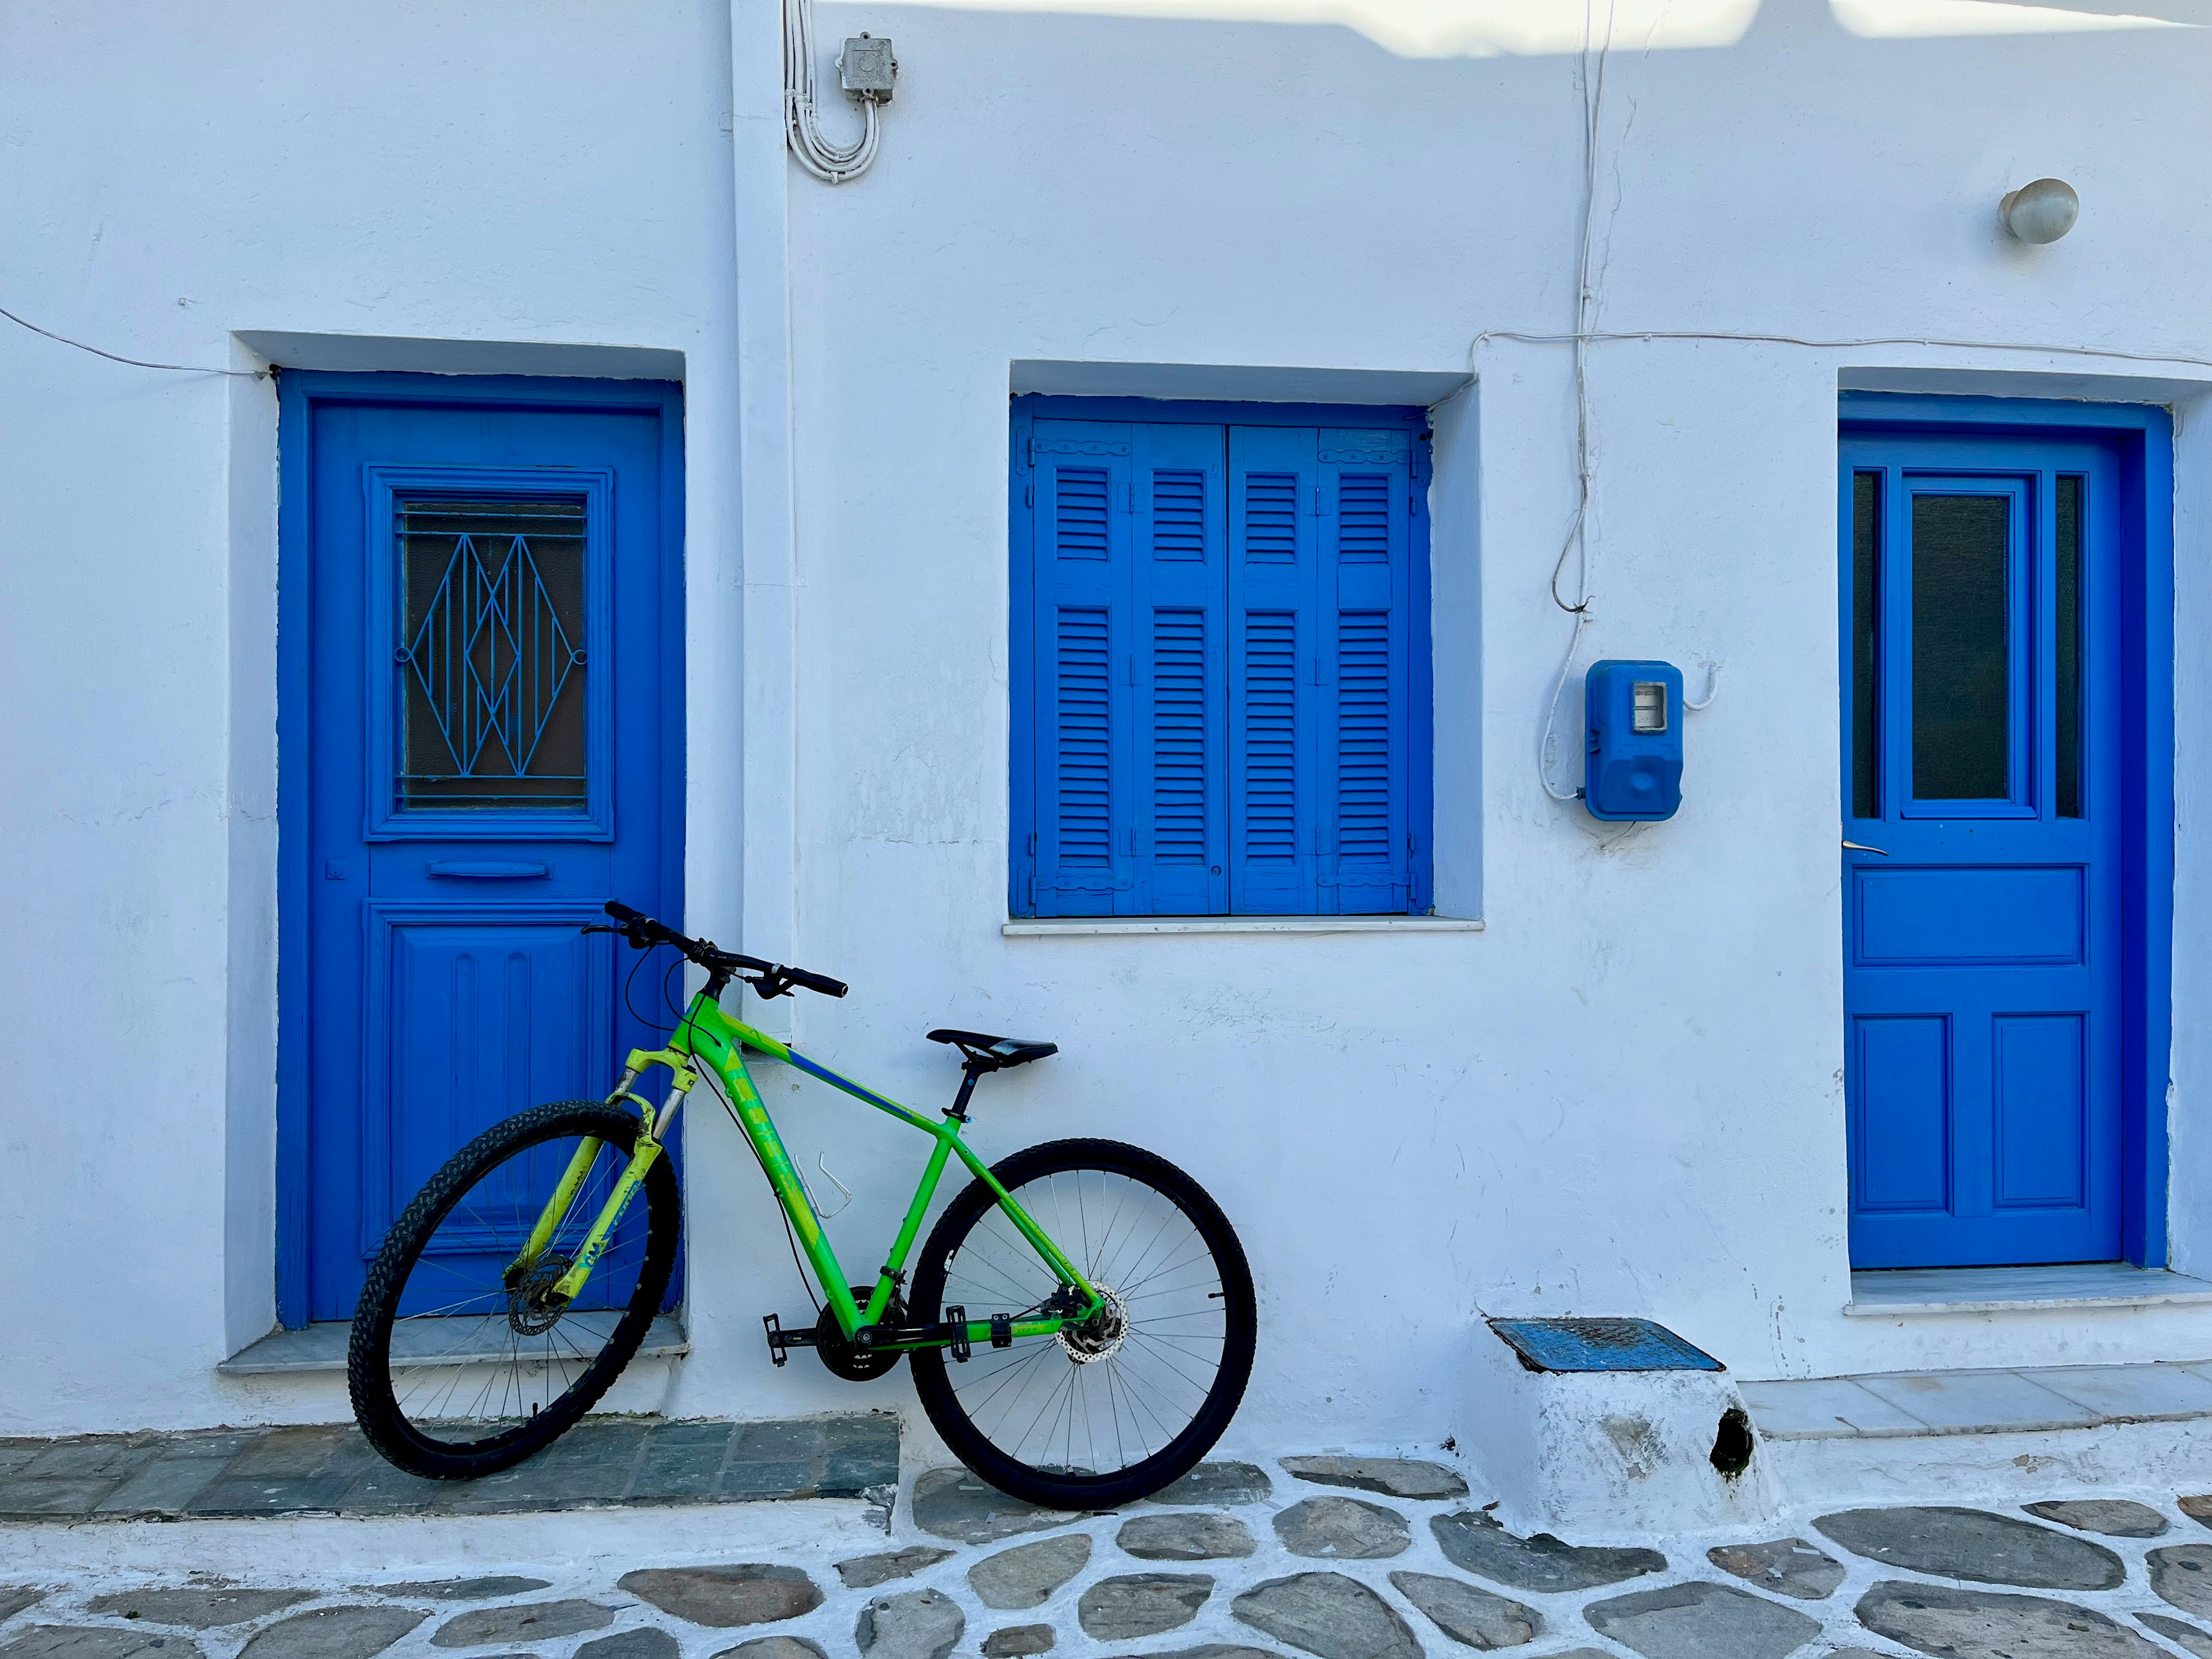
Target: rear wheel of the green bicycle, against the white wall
pixel 1112 1410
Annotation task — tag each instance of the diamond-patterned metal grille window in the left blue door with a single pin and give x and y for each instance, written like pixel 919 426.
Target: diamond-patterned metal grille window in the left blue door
pixel 492 656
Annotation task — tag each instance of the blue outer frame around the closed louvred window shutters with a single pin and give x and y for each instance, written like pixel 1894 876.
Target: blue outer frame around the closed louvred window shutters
pixel 1023 658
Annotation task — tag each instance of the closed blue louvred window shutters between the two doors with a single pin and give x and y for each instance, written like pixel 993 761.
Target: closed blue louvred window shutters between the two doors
pixel 1220 662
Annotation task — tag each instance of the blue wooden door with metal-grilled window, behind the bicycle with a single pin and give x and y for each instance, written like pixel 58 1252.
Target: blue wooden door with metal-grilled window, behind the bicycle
pixel 492 740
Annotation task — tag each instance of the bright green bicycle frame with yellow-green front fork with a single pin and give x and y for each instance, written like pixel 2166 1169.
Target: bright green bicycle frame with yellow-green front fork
pixel 711 1036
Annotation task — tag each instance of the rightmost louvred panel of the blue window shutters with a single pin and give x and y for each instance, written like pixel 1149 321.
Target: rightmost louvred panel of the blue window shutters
pixel 1366 716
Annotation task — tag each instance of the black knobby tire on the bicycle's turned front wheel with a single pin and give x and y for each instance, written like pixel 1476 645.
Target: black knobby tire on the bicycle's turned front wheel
pixel 368 1361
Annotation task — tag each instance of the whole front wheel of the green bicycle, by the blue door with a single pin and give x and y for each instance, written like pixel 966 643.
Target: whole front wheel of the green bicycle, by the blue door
pixel 463 1359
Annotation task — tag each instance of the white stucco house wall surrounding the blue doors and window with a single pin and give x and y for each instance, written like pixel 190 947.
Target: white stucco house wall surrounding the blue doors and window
pixel 1620 1098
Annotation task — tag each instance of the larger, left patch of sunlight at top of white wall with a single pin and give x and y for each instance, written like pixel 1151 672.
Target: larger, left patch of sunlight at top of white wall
pixel 1446 28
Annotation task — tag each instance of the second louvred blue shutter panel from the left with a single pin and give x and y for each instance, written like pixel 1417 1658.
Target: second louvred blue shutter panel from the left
pixel 1180 682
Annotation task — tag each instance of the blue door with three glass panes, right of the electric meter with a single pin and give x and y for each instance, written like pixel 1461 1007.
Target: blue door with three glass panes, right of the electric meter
pixel 2027 972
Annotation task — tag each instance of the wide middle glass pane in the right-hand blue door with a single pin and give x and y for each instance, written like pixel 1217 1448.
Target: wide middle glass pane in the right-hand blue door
pixel 1961 651
